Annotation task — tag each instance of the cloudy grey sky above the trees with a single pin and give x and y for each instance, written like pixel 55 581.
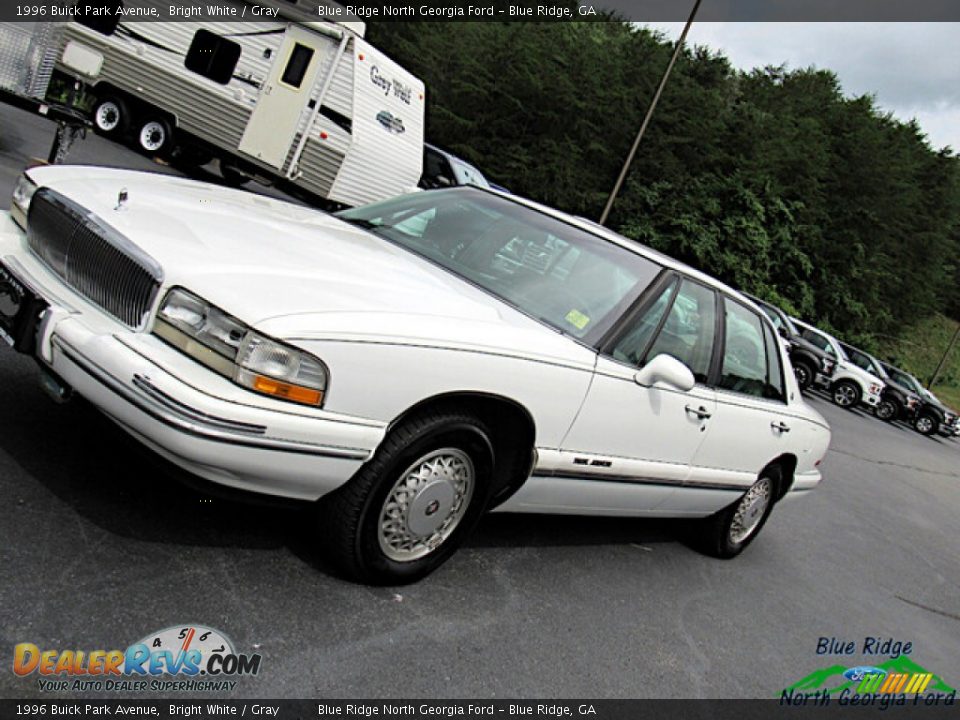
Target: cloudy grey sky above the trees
pixel 913 69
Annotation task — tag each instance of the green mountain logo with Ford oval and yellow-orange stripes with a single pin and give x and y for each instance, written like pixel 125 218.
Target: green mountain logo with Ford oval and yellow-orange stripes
pixel 898 675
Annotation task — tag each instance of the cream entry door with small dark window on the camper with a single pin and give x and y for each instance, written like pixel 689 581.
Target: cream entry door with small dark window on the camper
pixel 270 131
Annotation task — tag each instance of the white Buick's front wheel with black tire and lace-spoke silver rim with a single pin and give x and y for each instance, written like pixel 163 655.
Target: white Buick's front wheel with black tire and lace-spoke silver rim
pixel 409 508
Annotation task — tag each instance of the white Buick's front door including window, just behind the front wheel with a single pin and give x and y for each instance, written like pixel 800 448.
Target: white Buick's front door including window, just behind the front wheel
pixel 647 437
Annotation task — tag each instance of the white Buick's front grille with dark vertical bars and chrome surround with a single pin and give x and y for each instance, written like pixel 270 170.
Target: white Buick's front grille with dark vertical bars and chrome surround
pixel 93 258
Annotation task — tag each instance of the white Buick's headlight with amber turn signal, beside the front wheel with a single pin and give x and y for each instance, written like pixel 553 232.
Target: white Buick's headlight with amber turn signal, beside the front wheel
pixel 228 346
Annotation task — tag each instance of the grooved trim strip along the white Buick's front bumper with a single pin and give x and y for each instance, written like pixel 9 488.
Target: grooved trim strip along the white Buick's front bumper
pixel 162 408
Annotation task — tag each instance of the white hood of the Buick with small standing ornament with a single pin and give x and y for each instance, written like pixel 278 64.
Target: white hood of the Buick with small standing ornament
pixel 292 271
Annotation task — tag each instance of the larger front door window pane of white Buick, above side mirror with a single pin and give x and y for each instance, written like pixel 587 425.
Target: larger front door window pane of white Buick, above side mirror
pixel 688 332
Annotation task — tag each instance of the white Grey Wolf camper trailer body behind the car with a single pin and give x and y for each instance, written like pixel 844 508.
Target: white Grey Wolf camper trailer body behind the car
pixel 304 102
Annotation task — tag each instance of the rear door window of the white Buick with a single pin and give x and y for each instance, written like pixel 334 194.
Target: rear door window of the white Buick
pixel 746 365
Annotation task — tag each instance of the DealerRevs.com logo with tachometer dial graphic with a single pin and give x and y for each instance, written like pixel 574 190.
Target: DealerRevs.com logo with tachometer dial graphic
pixel 186 658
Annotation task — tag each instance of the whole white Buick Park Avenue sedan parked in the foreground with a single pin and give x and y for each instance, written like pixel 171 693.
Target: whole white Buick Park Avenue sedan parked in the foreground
pixel 408 365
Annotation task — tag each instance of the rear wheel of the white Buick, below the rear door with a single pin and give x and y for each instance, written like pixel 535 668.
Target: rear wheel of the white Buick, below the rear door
pixel 727 533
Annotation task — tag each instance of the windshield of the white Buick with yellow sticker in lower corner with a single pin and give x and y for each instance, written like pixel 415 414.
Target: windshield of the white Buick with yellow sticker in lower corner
pixel 571 279
